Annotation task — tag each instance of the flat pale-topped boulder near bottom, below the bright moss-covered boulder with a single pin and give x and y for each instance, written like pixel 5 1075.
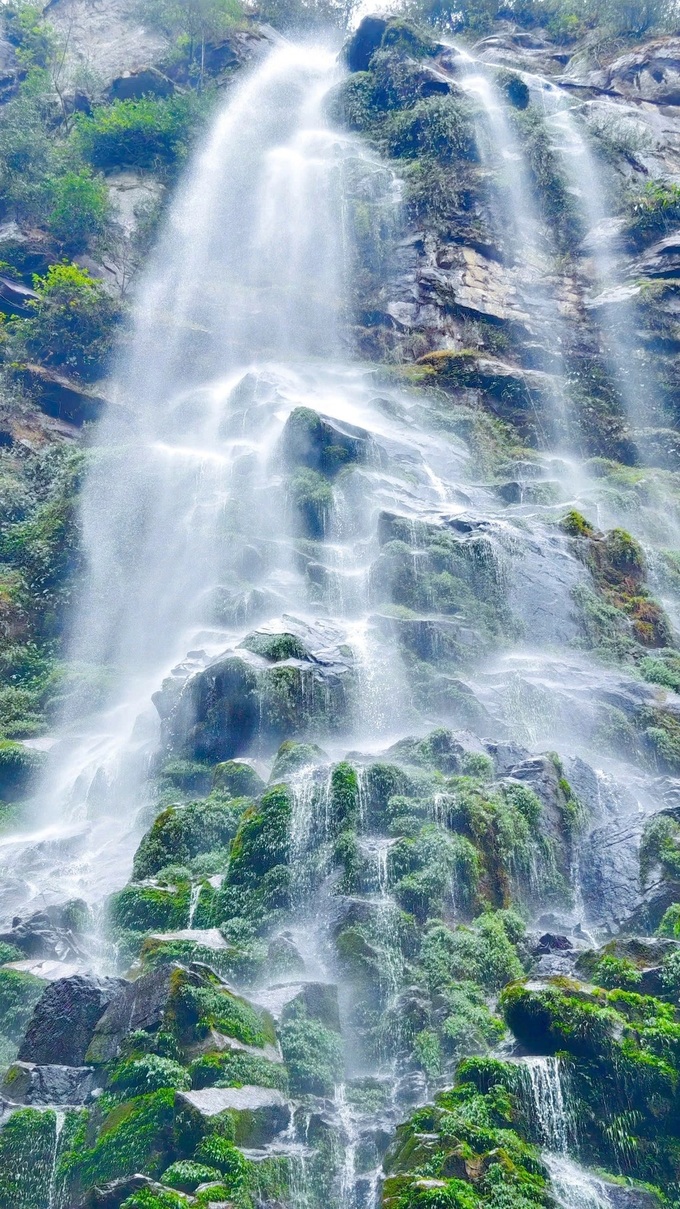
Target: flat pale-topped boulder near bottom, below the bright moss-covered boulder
pixel 260 1114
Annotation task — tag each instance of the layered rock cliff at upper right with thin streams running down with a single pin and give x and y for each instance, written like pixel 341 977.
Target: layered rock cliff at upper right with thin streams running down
pixel 580 287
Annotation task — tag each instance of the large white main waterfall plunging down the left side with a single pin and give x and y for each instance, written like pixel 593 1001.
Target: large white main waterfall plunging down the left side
pixel 238 322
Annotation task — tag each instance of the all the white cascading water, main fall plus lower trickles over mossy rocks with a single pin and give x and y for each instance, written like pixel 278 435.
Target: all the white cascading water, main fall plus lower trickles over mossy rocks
pixel 198 535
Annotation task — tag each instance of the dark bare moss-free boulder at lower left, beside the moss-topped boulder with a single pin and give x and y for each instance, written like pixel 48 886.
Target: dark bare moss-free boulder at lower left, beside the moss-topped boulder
pixel 65 1020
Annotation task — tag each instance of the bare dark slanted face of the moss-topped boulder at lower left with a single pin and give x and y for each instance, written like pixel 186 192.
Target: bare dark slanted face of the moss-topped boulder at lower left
pixel 139 1005
